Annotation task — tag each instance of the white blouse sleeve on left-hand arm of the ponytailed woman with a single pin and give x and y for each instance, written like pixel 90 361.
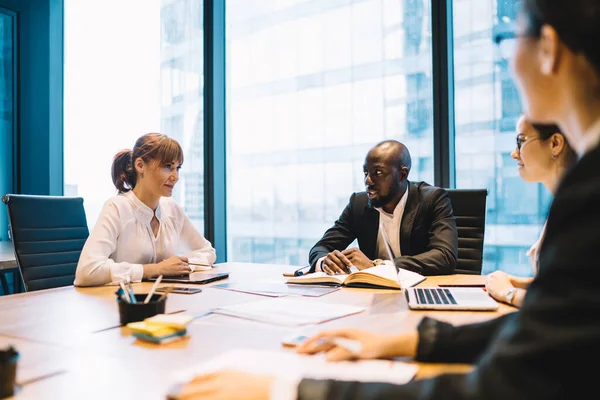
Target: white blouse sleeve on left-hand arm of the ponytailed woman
pixel 95 267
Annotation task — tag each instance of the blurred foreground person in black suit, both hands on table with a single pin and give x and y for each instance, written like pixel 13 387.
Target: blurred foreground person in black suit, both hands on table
pixel 546 350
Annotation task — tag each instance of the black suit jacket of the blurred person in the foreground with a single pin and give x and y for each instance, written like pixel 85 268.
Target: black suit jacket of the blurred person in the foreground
pixel 543 350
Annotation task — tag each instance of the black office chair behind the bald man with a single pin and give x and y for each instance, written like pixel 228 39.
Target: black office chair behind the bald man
pixel 469 209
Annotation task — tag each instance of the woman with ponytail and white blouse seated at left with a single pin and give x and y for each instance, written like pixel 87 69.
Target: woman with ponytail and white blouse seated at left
pixel 141 231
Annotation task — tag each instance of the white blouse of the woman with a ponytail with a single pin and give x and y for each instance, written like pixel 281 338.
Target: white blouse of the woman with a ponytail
pixel 122 241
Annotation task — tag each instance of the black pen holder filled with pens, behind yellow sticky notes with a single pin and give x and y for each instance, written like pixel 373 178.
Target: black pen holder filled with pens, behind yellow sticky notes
pixel 138 307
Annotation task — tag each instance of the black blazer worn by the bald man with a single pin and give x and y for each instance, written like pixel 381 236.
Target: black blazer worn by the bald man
pixel 428 236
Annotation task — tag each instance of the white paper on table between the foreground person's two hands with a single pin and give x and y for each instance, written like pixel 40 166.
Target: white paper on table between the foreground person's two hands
pixel 289 364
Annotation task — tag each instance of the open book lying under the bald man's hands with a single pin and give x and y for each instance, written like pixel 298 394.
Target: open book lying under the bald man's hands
pixel 381 276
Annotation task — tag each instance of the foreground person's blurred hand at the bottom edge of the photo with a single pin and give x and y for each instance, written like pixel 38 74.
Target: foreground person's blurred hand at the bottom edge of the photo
pixel 228 385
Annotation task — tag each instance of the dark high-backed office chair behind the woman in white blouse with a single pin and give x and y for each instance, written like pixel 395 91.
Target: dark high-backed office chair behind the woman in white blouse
pixel 48 233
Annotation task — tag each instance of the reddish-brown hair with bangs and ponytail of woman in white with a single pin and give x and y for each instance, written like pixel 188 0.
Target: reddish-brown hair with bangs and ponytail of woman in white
pixel 150 147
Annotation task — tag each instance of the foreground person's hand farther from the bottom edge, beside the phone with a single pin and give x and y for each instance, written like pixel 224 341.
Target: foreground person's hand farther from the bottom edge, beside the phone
pixel 372 345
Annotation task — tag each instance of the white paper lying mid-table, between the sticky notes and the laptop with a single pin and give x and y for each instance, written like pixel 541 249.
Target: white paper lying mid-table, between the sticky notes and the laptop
pixel 289 311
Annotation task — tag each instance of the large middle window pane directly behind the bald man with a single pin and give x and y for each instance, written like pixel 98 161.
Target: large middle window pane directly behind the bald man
pixel 311 86
